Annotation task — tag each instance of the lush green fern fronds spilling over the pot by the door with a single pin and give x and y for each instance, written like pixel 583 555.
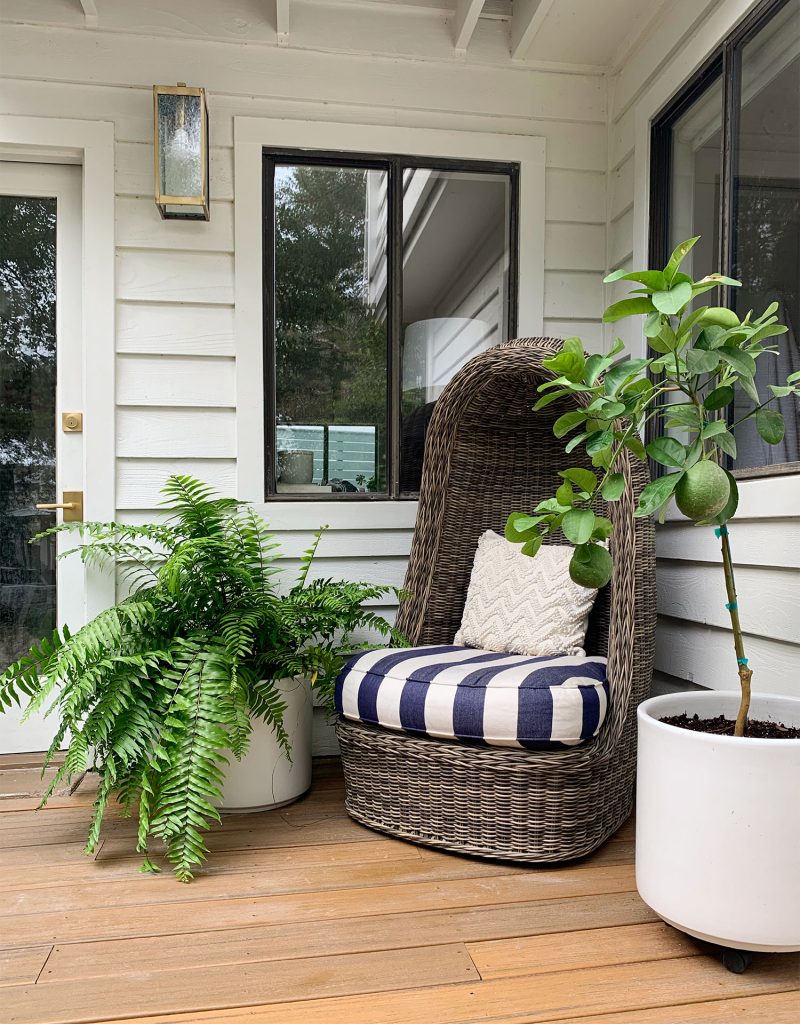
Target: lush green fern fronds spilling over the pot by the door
pixel 156 694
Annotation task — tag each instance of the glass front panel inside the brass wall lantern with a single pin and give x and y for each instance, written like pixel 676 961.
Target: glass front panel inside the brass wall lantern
pixel 181 149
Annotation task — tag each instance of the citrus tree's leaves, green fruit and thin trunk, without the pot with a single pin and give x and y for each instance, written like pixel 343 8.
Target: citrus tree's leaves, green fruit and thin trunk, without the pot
pixel 702 358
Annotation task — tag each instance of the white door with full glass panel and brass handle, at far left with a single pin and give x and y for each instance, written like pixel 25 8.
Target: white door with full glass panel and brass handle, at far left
pixel 40 380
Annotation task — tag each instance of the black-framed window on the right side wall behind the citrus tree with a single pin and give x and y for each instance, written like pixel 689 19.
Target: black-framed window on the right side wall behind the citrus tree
pixel 727 166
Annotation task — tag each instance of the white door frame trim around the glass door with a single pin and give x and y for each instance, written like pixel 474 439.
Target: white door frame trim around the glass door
pixel 91 144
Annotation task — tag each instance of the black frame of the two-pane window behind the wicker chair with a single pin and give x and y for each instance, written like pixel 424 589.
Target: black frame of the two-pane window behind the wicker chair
pixel 394 165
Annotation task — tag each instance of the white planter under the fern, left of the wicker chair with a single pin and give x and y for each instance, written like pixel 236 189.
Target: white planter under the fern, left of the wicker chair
pixel 266 778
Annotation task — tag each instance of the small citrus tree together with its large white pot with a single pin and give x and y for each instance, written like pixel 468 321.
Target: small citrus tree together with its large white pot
pixel 719 771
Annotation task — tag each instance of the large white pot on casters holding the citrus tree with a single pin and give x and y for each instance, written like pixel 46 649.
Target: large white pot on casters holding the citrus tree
pixel 719 824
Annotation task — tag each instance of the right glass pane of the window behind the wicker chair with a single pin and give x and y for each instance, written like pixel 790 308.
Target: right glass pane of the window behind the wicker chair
pixel 456 244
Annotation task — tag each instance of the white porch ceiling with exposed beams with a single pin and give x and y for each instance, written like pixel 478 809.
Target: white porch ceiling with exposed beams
pixel 581 35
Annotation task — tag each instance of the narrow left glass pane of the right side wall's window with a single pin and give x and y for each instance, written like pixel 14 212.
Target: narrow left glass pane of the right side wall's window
pixel 695 188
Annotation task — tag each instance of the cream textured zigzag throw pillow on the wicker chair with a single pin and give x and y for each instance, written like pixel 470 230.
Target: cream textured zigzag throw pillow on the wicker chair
pixel 523 606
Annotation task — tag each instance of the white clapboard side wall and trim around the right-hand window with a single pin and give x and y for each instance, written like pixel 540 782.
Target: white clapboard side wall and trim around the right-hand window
pixel 694 641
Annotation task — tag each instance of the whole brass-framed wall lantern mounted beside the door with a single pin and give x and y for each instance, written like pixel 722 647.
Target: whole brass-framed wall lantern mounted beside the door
pixel 181 130
